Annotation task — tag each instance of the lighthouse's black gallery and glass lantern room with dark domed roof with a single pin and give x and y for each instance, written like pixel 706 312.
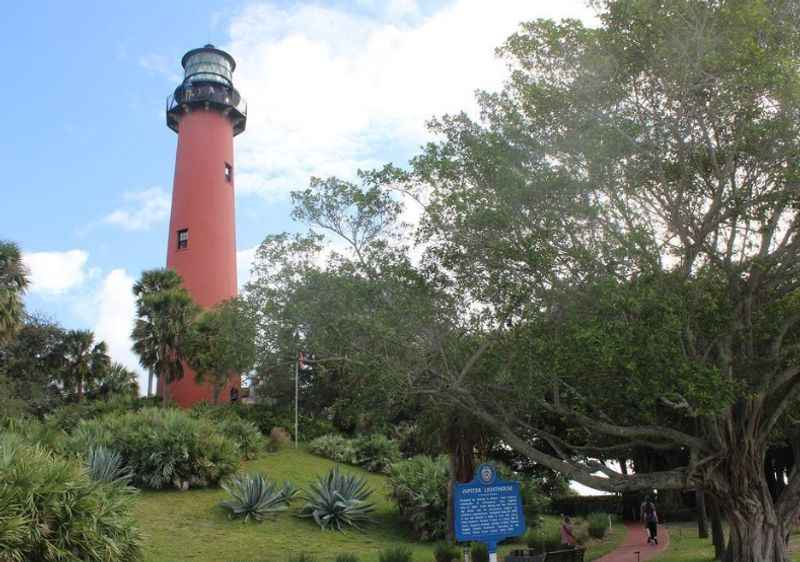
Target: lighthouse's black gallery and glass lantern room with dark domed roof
pixel 207 84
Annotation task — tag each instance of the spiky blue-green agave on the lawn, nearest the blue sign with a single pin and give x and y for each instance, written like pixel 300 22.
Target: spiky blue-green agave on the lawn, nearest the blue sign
pixel 337 500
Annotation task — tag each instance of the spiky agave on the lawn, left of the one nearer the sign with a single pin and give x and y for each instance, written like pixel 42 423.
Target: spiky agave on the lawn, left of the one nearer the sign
pixel 255 496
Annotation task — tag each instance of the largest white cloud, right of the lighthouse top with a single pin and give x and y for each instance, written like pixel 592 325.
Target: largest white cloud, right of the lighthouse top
pixel 330 91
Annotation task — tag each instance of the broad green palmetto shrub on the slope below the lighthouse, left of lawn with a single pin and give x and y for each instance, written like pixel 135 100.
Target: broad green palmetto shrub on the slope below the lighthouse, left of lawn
pixel 162 448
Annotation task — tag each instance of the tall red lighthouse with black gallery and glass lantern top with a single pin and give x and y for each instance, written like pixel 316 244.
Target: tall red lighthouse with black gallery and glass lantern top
pixel 207 112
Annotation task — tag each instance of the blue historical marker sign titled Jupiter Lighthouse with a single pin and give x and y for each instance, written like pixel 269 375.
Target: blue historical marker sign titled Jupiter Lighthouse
pixel 488 509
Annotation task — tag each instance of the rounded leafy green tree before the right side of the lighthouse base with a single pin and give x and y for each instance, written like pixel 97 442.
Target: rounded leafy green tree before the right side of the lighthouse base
pixel 221 344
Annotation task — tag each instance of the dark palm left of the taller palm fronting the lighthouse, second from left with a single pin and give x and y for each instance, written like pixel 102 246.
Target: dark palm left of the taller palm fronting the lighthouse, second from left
pixel 84 360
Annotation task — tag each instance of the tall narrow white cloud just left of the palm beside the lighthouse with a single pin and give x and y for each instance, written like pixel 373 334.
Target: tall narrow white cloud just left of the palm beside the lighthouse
pixel 115 313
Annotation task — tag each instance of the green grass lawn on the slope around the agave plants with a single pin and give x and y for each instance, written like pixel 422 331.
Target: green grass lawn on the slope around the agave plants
pixel 190 526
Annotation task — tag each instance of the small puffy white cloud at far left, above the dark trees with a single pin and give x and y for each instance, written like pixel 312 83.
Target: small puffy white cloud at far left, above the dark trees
pixel 54 273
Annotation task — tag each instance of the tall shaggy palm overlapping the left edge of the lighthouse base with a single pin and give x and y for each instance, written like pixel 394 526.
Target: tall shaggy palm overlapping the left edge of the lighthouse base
pixel 164 312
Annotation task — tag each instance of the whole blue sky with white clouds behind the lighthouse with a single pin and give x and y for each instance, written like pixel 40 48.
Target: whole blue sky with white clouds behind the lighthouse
pixel 332 87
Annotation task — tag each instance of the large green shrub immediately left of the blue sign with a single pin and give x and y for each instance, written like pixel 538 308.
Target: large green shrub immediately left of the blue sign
pixel 419 488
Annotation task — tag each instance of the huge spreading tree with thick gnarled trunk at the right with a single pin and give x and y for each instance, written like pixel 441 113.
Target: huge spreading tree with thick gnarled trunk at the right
pixel 627 213
